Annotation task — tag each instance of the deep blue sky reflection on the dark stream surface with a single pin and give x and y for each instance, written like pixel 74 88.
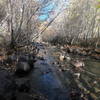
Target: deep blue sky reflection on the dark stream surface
pixel 45 81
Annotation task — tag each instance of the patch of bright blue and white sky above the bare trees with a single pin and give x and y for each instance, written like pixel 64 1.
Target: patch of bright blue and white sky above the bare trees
pixel 50 8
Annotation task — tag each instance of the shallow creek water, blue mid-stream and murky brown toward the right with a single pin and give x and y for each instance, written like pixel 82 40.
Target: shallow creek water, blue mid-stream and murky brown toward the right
pixel 53 83
